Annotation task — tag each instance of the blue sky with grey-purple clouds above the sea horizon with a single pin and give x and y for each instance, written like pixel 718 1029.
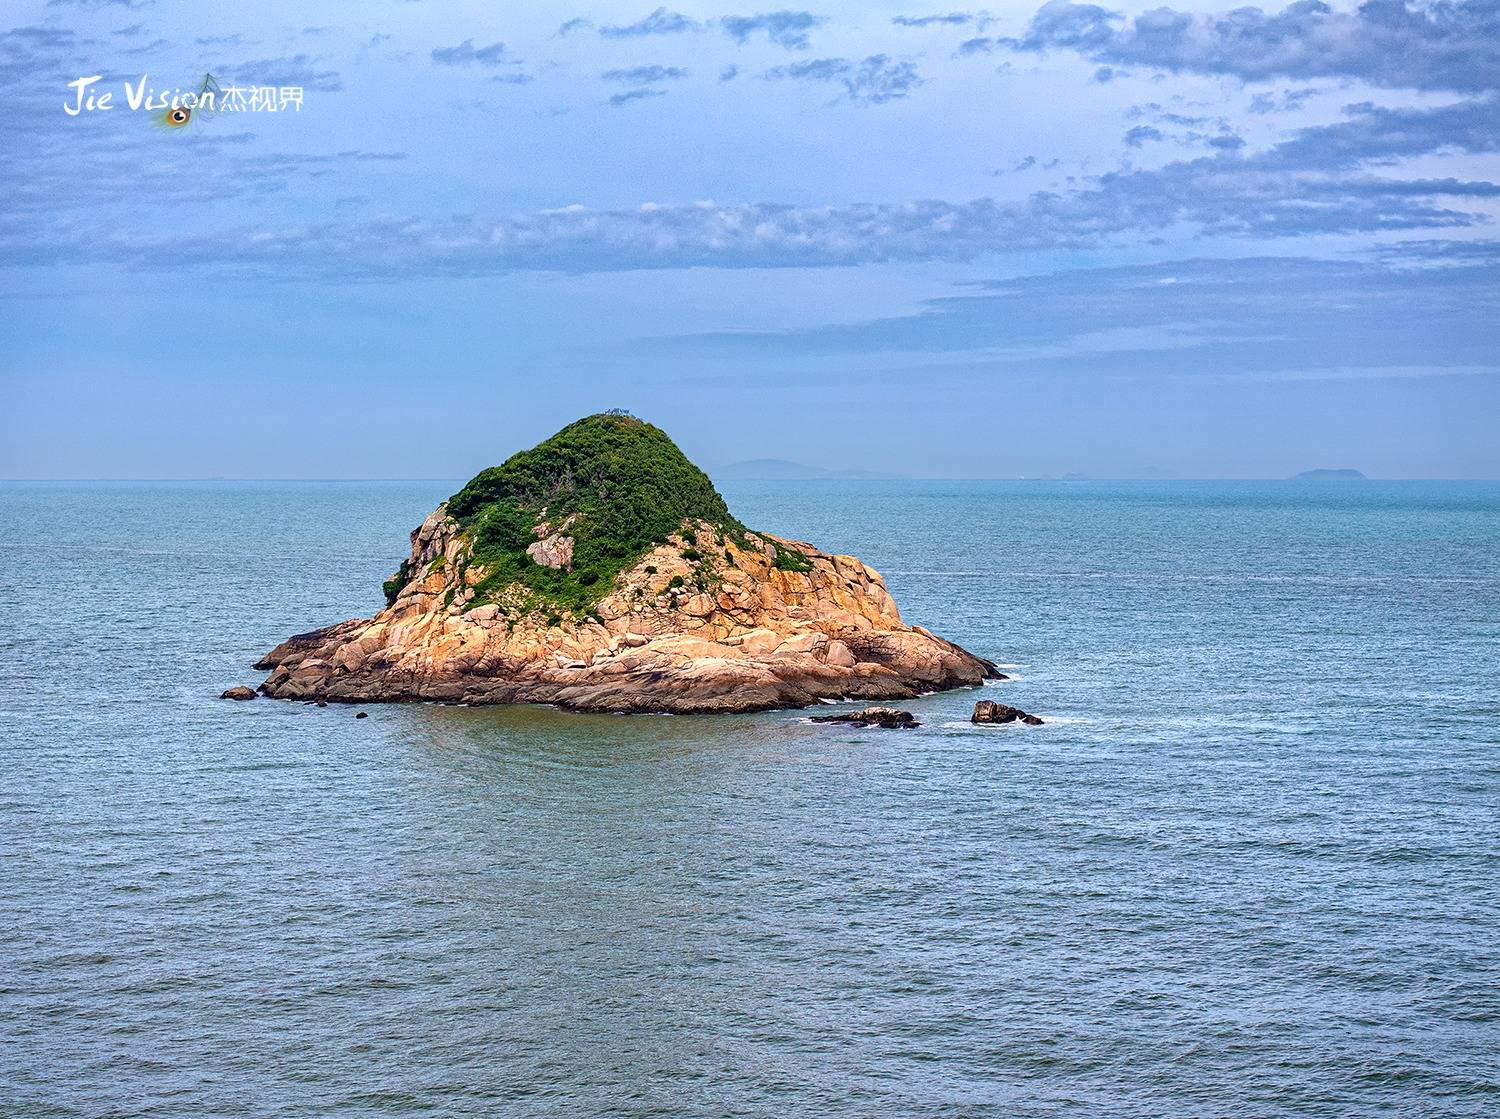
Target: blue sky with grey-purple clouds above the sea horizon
pixel 1024 241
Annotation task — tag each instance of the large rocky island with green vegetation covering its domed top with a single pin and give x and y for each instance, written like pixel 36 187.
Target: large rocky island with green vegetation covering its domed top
pixel 604 572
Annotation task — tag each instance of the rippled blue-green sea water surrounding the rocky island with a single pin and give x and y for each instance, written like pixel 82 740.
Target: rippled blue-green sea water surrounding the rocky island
pixel 1249 868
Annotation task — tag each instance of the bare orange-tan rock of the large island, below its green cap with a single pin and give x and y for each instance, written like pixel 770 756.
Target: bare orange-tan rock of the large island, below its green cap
pixel 712 619
